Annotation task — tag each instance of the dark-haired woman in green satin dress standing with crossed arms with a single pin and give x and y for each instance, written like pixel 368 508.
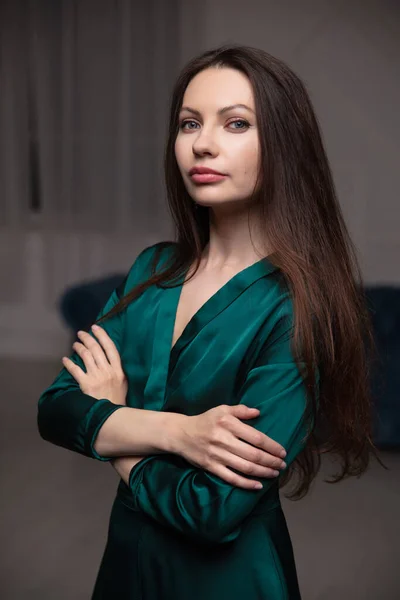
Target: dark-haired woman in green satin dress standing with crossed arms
pixel 253 313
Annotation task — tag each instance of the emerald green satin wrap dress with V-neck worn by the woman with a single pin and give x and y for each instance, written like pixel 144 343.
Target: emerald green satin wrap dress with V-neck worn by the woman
pixel 178 532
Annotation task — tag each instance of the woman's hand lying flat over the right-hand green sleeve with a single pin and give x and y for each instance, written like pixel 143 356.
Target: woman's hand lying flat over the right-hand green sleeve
pixel 213 441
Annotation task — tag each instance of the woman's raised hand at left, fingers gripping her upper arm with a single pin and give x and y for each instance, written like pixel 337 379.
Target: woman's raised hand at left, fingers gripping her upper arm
pixel 104 377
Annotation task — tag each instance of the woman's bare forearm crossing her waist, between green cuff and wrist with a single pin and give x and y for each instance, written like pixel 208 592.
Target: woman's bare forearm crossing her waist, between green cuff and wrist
pixel 134 431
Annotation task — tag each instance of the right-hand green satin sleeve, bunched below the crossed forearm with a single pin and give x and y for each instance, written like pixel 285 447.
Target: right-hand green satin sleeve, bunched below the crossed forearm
pixel 202 505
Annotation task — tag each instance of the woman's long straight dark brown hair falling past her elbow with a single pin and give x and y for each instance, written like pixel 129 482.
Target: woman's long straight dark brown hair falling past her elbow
pixel 304 225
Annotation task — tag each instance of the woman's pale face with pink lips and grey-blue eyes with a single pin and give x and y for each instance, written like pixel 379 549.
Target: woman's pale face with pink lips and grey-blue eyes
pixel 216 133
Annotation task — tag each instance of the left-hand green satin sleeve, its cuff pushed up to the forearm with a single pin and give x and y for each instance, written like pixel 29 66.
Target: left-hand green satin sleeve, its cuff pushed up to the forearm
pixel 66 416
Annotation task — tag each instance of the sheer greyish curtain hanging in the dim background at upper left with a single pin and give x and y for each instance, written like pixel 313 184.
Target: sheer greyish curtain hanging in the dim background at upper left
pixel 85 87
